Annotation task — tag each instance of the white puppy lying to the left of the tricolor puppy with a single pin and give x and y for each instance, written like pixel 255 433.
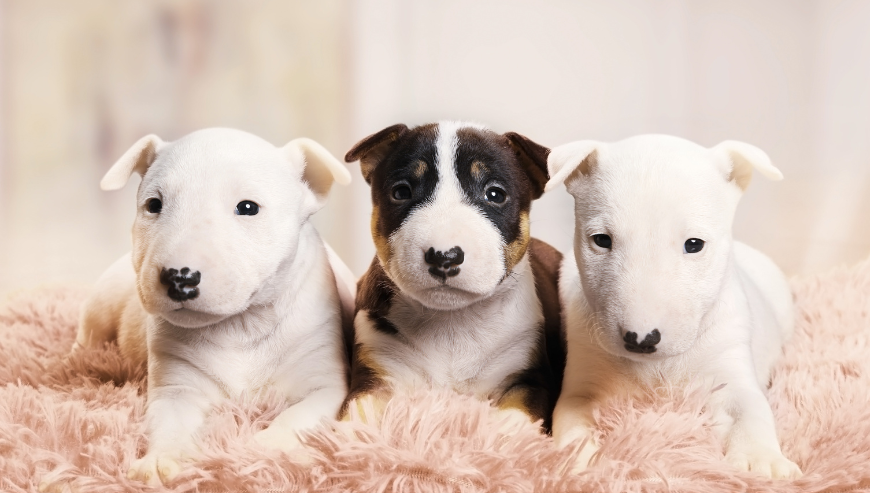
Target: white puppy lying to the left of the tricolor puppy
pixel 229 288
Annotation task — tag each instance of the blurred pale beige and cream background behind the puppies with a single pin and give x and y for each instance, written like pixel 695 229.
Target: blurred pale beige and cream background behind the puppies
pixel 81 80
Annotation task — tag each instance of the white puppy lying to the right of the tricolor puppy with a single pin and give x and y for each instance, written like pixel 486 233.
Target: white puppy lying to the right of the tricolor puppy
pixel 657 291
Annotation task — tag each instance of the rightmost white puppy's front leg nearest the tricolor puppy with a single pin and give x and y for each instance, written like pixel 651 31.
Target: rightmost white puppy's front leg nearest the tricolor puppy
pixel 573 424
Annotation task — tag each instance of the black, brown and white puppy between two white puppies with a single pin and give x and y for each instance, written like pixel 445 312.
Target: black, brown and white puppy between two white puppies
pixel 458 296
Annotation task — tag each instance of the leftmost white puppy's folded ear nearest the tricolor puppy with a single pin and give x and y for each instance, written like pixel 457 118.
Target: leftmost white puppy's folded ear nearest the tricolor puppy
pixel 321 168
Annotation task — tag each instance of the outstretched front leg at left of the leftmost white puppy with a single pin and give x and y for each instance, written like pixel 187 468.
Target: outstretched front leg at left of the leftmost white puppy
pixel 174 415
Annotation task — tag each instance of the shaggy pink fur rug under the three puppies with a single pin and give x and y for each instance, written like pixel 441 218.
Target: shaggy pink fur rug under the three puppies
pixel 76 424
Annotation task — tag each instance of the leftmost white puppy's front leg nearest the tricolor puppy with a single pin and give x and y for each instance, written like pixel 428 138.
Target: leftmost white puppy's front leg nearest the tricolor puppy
pixel 282 433
